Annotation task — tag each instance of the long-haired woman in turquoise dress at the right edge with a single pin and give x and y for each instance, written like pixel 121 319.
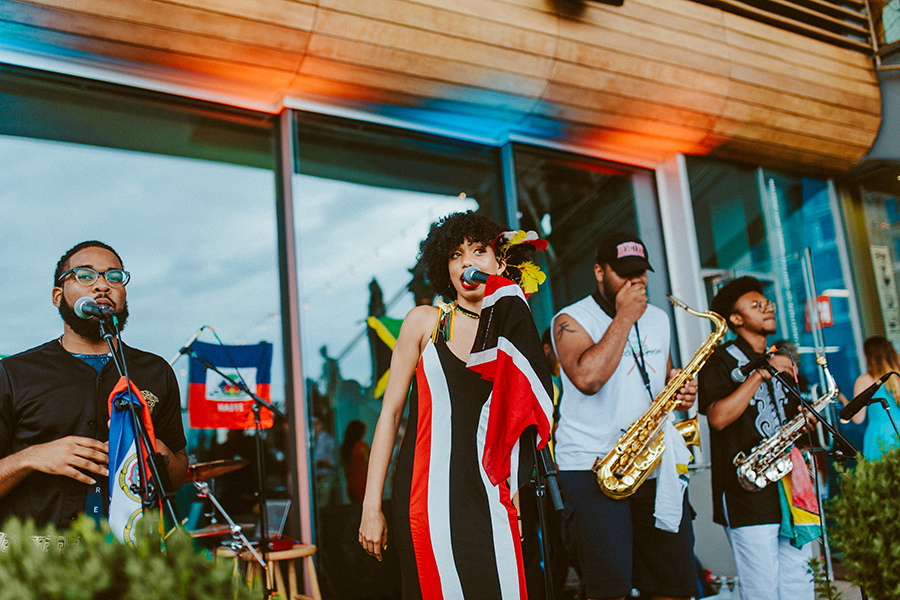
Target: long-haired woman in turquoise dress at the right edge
pixel 881 358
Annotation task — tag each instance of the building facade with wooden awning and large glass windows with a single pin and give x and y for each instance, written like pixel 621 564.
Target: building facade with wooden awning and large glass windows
pixel 269 168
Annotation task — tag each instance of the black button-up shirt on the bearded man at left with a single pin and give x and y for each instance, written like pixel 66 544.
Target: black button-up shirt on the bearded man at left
pixel 47 394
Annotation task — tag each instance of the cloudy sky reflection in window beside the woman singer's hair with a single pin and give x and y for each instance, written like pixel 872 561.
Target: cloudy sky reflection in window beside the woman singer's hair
pixel 347 234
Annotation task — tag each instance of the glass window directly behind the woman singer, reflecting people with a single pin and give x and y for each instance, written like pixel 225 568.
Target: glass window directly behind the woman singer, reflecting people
pixel 364 198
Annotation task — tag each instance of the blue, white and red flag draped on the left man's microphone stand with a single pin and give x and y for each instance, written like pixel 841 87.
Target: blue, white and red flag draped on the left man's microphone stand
pixel 125 509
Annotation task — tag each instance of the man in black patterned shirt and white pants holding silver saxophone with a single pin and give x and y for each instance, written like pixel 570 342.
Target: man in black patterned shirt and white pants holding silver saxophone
pixel 742 411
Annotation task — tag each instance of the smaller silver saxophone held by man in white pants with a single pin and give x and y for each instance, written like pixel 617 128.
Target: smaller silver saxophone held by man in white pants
pixel 770 460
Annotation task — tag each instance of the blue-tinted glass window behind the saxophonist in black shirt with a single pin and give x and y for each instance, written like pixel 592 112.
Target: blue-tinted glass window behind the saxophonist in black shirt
pixel 760 223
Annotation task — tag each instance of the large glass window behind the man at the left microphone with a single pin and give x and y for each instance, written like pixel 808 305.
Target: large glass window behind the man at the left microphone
pixel 185 193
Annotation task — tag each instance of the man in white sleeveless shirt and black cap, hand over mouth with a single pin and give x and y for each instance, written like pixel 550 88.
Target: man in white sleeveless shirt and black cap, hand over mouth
pixel 613 349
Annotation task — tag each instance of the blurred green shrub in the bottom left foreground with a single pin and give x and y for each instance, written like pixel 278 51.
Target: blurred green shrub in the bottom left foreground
pixel 96 566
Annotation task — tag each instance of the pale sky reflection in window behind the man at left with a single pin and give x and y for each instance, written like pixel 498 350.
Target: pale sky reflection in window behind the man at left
pixel 199 238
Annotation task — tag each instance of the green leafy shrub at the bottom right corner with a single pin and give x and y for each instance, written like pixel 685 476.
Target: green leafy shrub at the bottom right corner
pixel 868 525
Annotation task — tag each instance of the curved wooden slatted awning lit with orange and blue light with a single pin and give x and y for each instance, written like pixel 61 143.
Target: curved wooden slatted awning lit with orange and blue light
pixel 634 83
